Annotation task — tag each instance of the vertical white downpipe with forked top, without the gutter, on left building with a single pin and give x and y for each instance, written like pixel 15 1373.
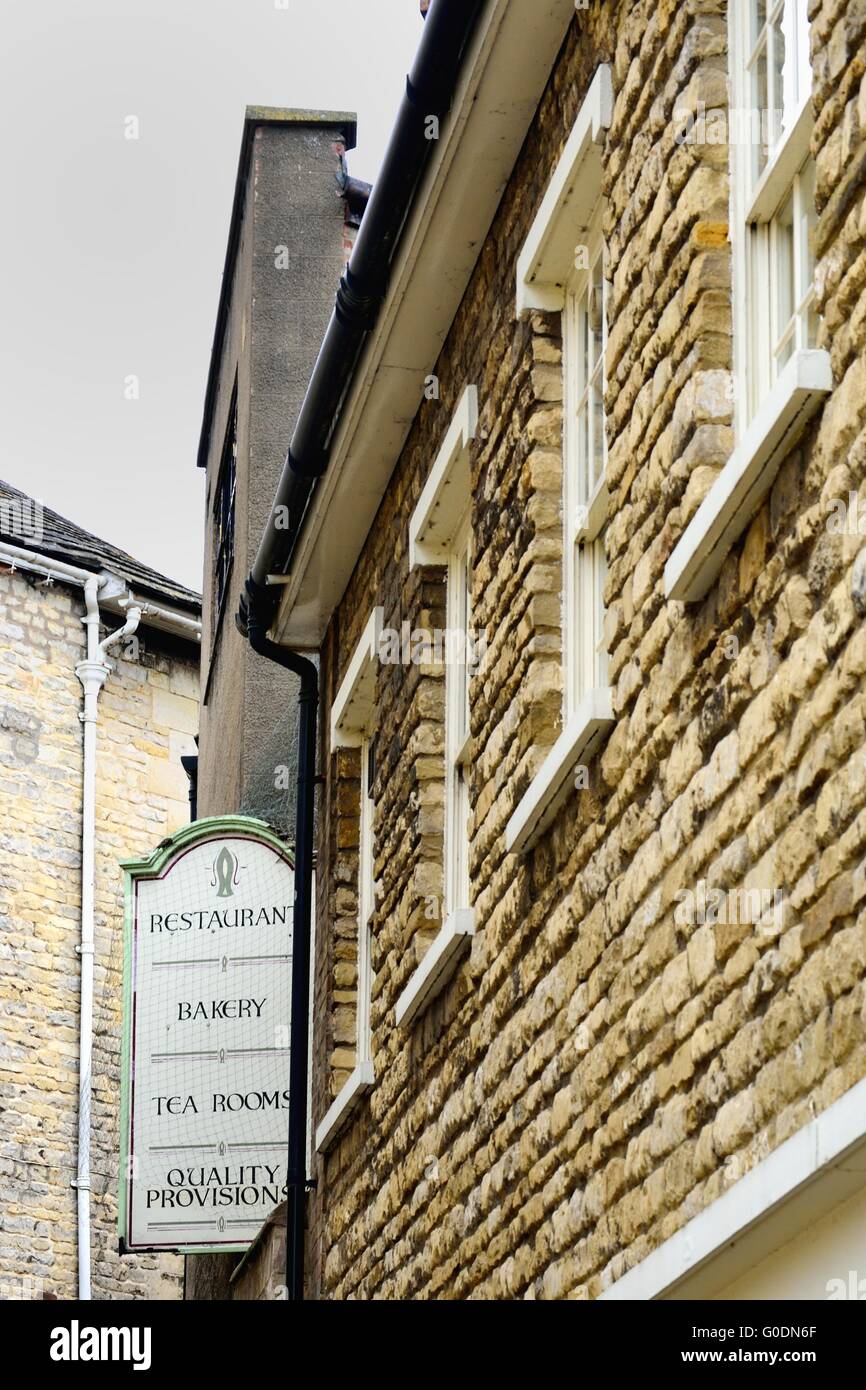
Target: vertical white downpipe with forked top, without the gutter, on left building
pixel 92 673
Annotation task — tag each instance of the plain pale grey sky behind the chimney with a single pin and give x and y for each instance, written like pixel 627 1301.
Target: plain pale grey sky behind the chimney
pixel 112 250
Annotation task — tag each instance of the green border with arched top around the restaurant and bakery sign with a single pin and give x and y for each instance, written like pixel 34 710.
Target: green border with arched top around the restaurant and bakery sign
pixel 198 832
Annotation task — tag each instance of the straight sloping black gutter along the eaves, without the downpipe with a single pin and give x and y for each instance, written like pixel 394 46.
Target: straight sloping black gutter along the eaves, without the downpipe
pixel 430 90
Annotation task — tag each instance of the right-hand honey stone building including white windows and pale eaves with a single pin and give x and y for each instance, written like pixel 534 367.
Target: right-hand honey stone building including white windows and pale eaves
pixel 582 565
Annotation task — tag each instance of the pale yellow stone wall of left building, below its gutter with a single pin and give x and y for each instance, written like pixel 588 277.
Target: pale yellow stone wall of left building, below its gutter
pixel 148 718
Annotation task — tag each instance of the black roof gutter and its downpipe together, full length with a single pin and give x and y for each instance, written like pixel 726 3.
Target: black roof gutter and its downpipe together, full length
pixel 430 90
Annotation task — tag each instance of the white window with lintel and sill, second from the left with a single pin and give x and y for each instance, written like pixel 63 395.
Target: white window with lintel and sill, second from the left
pixel 440 533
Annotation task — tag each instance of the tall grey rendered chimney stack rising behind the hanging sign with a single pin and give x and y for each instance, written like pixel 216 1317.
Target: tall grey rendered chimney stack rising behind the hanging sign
pixel 291 226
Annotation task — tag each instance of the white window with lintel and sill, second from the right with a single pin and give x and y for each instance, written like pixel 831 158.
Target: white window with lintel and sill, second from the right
pixel 571 216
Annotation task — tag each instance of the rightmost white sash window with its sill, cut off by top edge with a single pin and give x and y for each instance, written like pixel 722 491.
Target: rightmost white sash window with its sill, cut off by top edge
pixel 774 402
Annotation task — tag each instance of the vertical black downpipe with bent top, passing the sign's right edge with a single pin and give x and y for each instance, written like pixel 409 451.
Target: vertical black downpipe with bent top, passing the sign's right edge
pixel 297 1166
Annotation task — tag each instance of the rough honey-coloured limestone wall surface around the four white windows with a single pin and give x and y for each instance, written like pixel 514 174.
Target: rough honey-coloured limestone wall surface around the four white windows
pixel 600 1070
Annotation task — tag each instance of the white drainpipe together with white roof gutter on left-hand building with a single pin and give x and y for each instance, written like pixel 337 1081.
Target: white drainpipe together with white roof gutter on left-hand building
pixel 92 673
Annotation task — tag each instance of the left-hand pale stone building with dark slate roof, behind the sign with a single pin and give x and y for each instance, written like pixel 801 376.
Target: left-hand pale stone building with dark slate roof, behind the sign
pixel 54 578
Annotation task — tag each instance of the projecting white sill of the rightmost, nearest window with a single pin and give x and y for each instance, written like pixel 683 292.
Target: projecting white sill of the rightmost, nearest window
pixel 749 476
